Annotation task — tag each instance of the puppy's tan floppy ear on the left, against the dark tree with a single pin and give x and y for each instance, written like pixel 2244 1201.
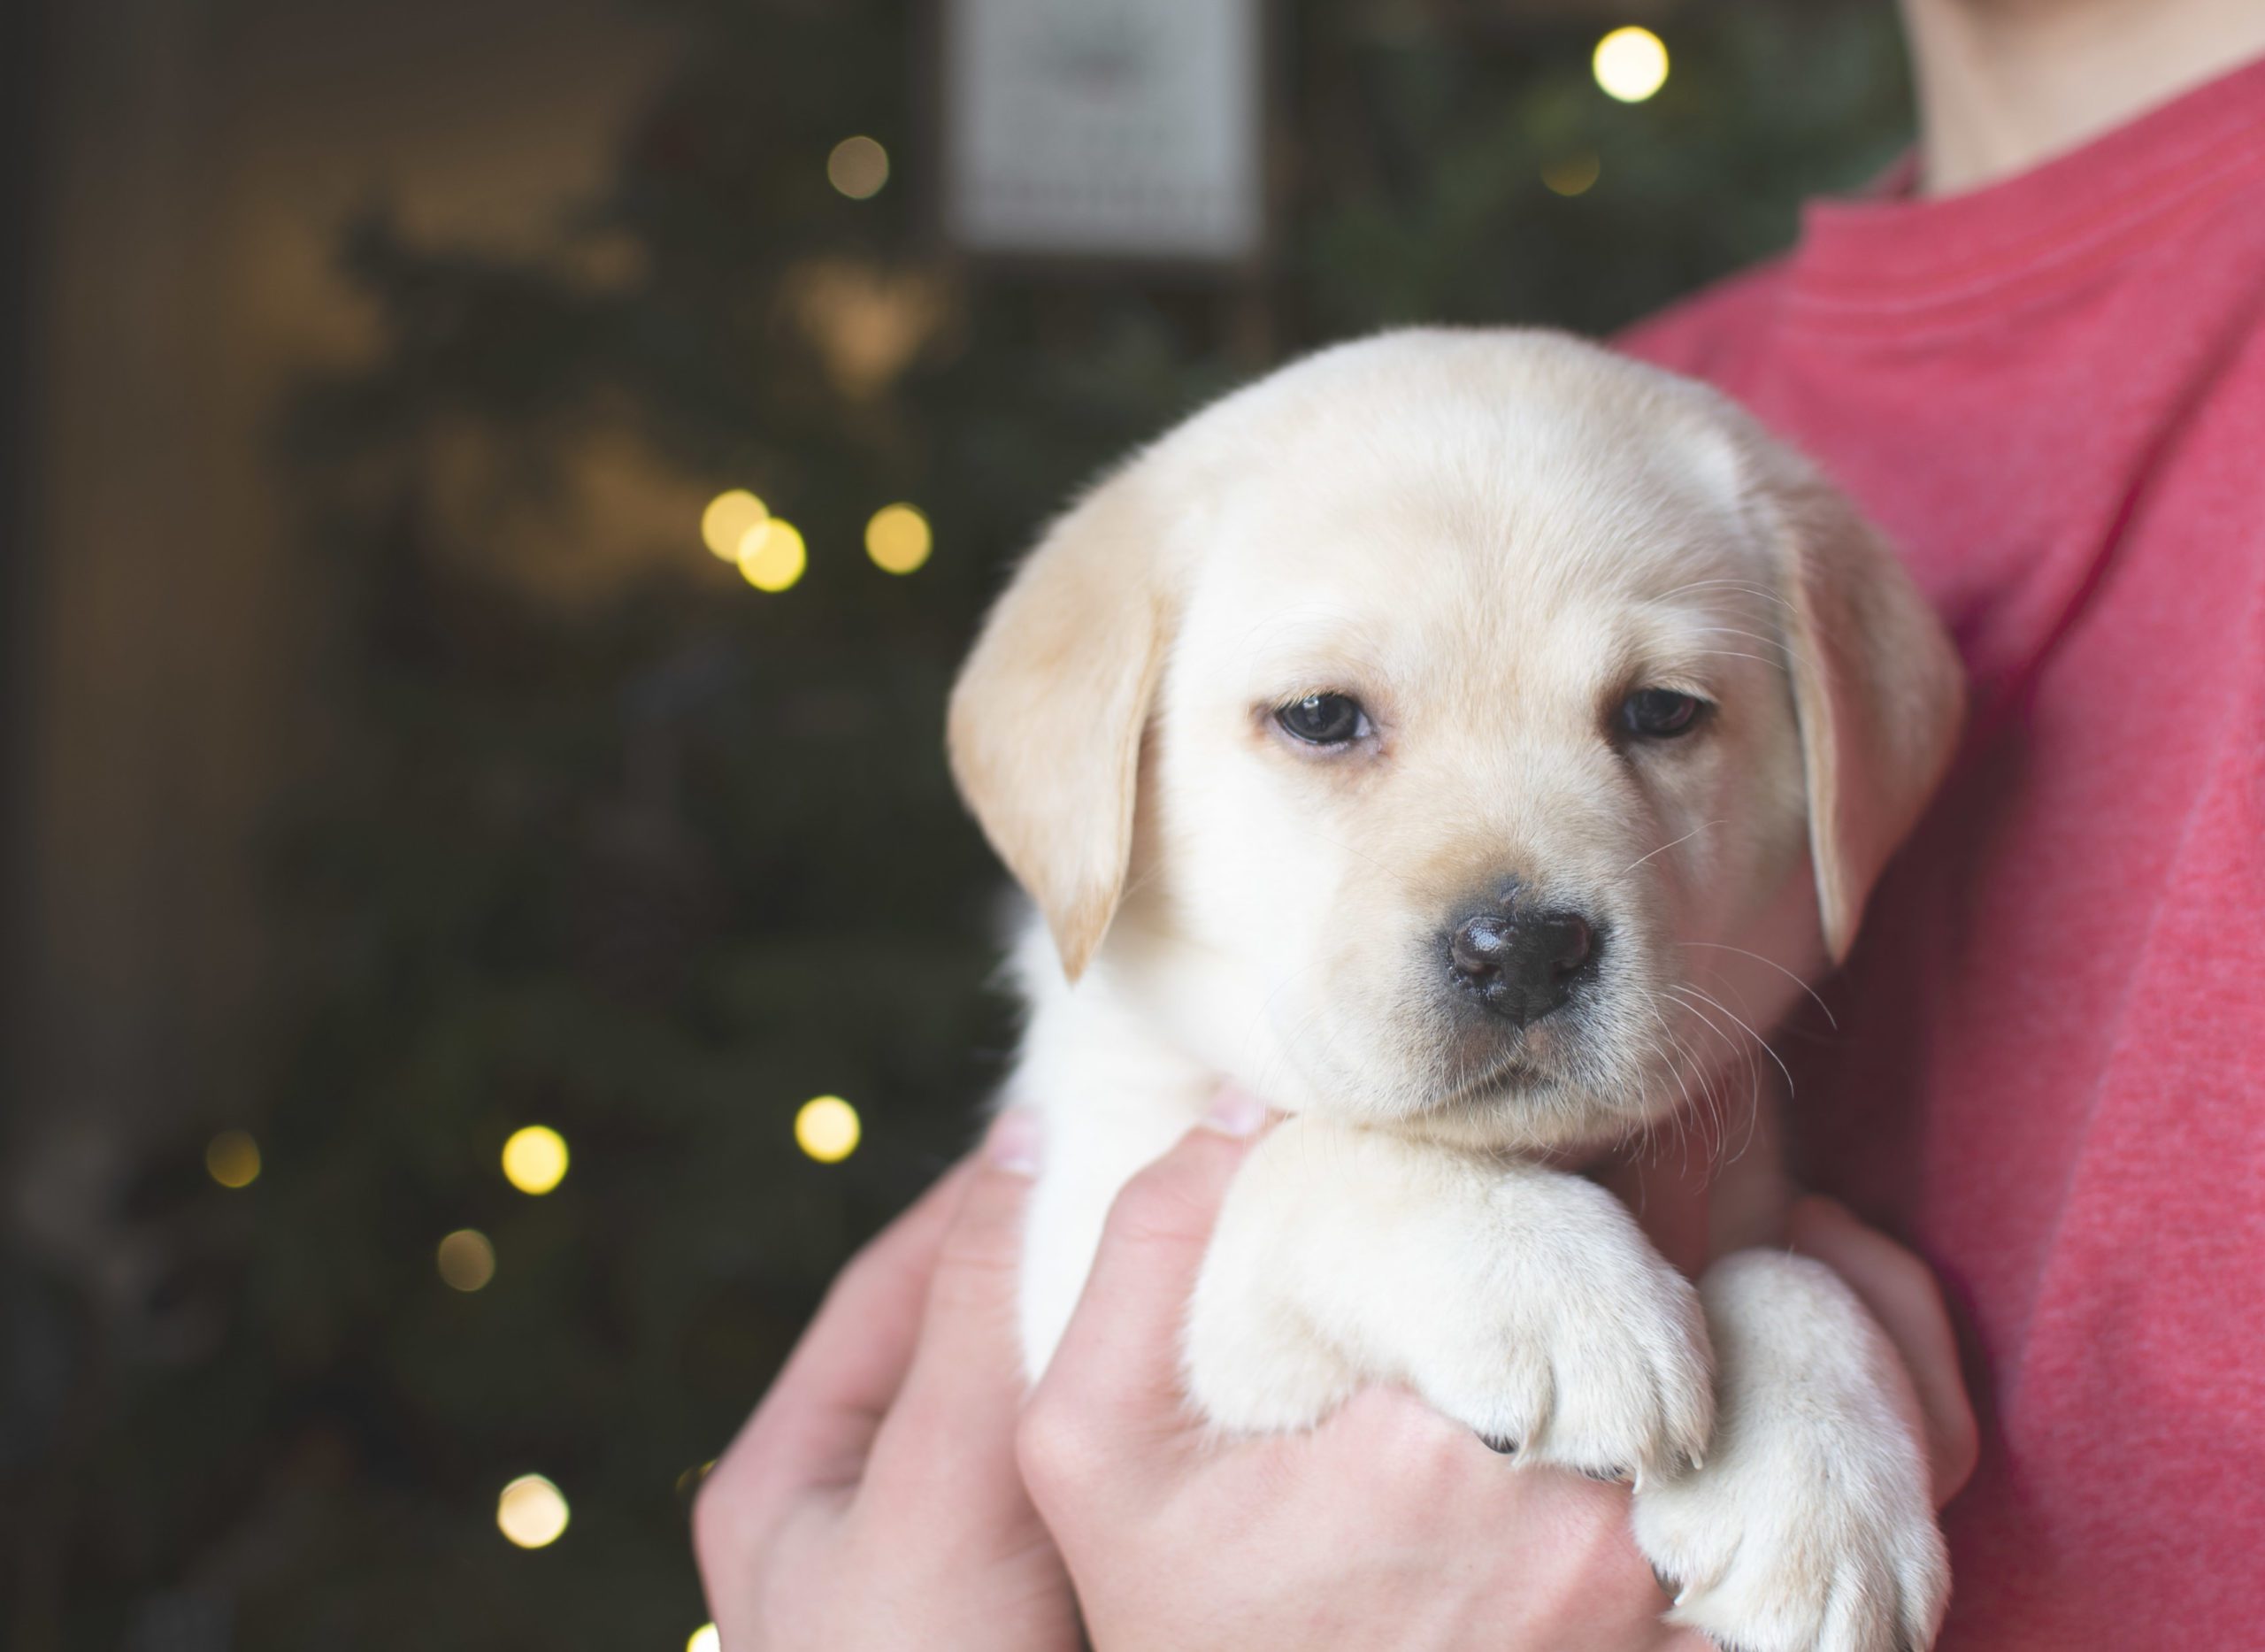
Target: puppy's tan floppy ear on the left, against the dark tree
pixel 1050 710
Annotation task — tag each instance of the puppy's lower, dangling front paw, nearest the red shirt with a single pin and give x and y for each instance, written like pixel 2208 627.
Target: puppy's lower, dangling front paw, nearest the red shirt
pixel 1811 1526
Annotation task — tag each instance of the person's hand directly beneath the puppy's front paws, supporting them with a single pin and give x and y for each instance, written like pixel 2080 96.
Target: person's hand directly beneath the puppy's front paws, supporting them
pixel 1387 1526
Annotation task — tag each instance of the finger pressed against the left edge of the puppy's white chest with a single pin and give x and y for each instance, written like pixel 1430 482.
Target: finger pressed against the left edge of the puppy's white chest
pixel 955 1420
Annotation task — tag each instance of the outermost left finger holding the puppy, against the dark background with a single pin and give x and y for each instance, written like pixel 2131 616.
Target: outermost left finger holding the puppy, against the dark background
pixel 826 1406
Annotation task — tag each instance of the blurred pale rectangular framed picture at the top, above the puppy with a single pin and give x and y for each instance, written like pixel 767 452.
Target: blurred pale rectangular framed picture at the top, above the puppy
pixel 1109 130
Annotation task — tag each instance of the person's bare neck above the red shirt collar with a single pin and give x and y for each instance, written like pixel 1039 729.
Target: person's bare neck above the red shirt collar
pixel 2006 85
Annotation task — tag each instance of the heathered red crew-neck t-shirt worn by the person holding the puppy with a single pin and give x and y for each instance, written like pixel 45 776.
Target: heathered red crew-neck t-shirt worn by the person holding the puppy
pixel 2051 1055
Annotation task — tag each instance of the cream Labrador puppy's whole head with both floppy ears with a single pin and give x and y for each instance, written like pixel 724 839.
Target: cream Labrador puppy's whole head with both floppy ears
pixel 1471 731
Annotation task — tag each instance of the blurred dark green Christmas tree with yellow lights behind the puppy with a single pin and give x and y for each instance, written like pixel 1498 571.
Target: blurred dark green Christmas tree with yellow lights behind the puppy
pixel 608 842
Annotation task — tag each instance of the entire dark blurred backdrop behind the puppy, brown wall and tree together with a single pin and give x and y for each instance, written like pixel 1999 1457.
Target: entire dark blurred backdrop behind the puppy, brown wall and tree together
pixel 388 765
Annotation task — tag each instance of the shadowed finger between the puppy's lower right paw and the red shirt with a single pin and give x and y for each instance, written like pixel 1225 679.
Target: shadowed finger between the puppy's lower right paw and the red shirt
pixel 1904 1297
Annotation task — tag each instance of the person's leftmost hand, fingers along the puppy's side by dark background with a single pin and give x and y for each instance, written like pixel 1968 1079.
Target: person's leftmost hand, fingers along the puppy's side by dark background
pixel 873 1499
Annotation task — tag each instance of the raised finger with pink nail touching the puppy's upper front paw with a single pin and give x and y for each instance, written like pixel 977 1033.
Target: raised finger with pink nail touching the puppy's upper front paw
pixel 1120 1361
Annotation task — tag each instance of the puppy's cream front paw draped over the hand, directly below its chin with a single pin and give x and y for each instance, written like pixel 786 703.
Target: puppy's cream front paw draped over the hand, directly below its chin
pixel 1521 1302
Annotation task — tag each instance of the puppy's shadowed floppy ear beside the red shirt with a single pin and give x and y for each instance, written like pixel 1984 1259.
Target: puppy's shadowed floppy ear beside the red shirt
pixel 1877 683
